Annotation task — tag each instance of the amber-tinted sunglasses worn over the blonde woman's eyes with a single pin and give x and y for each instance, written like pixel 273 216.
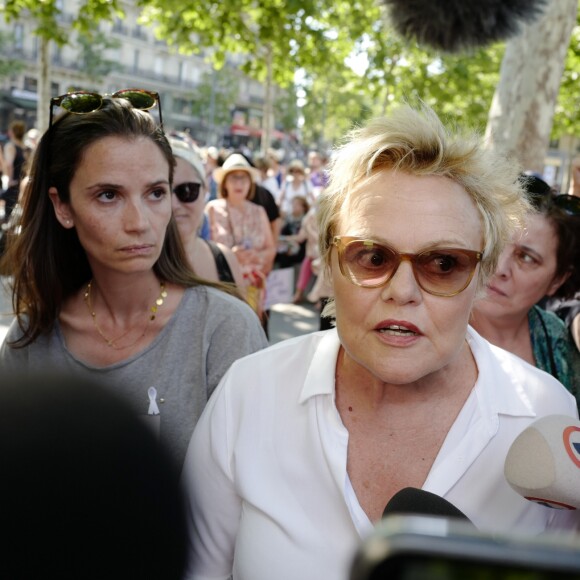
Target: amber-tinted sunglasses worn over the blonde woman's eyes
pixel 438 271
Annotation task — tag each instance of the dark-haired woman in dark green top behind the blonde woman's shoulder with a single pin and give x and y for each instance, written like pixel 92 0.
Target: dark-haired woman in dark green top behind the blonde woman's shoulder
pixel 540 263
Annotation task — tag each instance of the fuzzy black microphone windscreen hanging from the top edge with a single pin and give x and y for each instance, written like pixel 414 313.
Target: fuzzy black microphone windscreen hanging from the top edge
pixel 456 25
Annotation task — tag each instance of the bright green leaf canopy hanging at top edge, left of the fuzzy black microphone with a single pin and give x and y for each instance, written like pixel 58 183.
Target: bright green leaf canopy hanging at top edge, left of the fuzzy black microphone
pixel 300 33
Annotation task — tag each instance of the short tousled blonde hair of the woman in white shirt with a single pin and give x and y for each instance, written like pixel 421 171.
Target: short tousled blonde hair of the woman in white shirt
pixel 415 141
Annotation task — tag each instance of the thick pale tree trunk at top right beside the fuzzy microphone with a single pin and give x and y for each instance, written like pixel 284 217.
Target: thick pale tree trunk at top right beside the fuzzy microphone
pixel 522 110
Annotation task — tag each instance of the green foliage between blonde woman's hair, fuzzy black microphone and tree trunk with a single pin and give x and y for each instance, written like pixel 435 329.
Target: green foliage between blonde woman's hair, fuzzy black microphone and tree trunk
pixel 458 87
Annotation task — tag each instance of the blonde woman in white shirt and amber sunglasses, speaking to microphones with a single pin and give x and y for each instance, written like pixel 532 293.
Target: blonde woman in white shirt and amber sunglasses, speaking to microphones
pixel 304 443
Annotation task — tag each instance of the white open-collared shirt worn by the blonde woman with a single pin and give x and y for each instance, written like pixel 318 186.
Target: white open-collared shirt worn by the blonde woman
pixel 268 491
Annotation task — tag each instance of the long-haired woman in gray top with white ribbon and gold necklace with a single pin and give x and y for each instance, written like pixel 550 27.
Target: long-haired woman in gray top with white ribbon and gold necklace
pixel 102 285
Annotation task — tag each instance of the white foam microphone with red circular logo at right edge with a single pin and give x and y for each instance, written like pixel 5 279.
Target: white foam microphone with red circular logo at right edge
pixel 543 463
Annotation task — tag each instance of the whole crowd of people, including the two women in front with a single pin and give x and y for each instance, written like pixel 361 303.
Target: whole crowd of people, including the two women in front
pixel 139 262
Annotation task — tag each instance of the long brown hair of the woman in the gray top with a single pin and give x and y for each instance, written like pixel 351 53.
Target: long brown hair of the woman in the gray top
pixel 47 261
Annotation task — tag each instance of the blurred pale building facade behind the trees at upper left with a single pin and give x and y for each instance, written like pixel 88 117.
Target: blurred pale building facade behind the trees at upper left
pixel 130 56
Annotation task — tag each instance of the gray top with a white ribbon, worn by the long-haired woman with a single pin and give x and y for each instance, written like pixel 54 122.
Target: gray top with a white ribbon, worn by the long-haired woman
pixel 207 332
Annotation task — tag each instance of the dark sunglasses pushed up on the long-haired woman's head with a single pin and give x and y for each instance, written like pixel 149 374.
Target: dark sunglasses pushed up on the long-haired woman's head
pixel 83 102
